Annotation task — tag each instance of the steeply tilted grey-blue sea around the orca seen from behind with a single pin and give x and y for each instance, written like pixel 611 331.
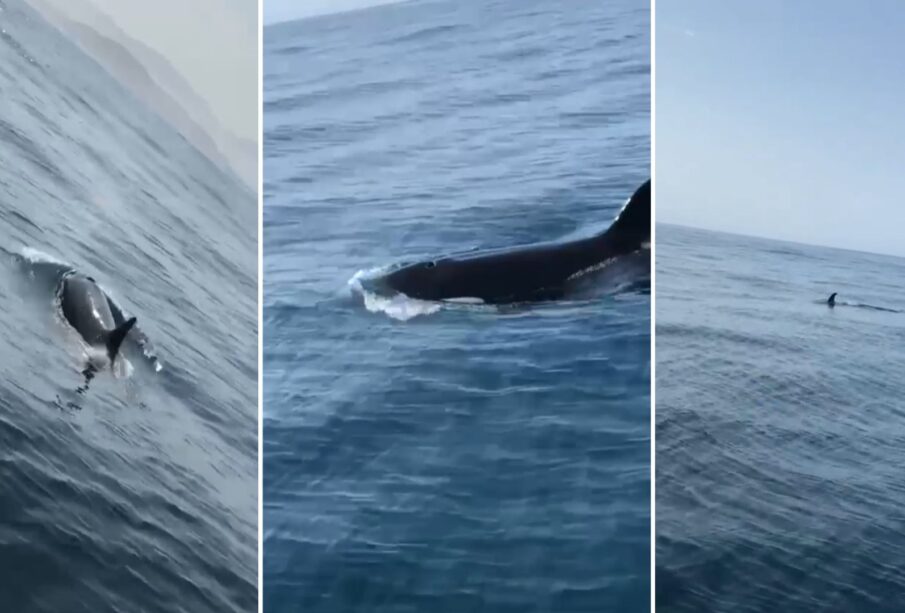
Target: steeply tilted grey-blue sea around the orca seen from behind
pixel 138 494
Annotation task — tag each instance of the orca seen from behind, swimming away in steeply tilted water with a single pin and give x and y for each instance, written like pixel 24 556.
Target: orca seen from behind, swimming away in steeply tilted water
pixel 88 310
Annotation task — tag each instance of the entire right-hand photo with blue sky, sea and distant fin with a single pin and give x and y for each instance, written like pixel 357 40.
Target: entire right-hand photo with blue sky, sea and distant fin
pixel 779 307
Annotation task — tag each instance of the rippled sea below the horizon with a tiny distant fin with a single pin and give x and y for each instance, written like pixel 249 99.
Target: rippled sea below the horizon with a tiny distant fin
pixel 780 426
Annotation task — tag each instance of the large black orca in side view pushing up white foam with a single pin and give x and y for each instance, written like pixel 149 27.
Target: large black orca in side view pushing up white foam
pixel 527 273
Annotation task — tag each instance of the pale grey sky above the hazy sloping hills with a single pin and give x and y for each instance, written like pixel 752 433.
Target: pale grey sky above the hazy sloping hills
pixel 213 43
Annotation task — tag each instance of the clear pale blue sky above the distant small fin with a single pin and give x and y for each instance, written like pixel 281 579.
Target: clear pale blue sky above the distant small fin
pixel 783 119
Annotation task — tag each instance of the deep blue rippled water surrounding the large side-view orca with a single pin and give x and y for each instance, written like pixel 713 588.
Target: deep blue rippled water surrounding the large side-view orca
pixel 468 459
